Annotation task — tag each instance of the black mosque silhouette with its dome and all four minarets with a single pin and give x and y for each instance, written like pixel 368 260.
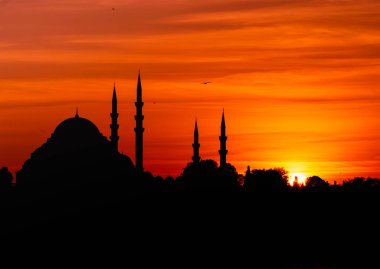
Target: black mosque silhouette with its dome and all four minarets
pixel 77 151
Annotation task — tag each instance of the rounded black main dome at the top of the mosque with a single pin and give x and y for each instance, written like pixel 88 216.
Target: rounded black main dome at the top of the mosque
pixel 76 128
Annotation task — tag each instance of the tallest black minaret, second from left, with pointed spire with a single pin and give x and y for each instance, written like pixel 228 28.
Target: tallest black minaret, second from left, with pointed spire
pixel 139 130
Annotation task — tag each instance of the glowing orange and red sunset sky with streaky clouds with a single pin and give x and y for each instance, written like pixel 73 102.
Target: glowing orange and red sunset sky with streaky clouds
pixel 298 79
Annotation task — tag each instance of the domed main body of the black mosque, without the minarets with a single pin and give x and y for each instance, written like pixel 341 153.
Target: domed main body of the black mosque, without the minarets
pixel 75 153
